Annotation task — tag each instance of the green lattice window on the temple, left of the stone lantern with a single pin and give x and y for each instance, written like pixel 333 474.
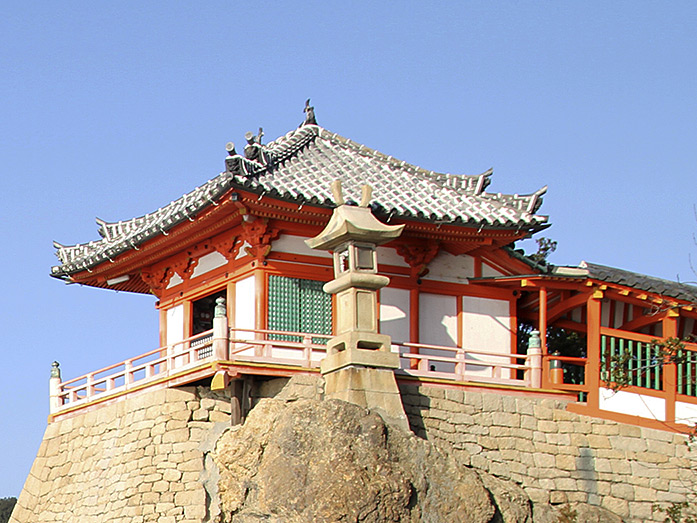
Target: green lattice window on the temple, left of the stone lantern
pixel 299 306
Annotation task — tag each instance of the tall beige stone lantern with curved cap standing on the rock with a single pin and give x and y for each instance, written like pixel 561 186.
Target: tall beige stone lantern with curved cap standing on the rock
pixel 359 366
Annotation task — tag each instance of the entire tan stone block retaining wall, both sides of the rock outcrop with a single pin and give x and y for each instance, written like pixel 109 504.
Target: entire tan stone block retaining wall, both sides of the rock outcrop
pixel 142 459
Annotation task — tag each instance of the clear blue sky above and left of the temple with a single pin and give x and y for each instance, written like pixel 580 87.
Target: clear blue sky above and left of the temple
pixel 114 109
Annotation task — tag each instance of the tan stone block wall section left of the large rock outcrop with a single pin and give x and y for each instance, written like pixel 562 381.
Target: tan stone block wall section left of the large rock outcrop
pixel 134 461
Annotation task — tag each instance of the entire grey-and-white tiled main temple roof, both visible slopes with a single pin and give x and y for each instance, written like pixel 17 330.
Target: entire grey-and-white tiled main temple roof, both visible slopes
pixel 300 167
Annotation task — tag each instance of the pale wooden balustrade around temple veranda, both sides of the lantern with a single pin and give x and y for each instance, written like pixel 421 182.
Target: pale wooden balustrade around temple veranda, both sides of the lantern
pixel 274 347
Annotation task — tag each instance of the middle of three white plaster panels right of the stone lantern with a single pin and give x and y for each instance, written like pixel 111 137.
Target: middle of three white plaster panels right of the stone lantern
pixel 438 326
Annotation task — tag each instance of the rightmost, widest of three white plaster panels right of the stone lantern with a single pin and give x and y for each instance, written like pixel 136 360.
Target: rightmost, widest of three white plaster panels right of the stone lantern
pixel 486 326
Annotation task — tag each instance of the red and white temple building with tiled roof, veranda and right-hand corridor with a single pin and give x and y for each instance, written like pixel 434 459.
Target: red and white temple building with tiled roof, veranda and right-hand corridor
pixel 462 308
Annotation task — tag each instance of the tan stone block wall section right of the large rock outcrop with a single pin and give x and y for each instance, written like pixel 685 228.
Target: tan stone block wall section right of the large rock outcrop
pixel 555 455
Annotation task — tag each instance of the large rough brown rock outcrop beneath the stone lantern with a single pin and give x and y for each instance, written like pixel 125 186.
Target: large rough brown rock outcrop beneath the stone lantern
pixel 331 461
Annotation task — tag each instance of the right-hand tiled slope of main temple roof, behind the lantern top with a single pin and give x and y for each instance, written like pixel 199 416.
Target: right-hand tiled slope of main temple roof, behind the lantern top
pixel 302 164
